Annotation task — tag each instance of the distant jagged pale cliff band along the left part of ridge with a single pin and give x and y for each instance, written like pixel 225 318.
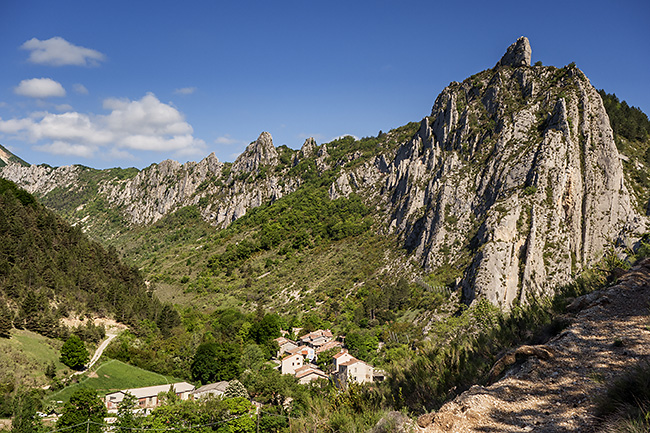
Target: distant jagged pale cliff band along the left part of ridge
pixel 222 192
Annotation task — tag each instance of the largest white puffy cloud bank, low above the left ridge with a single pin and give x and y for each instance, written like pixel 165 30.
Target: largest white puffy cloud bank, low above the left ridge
pixel 146 125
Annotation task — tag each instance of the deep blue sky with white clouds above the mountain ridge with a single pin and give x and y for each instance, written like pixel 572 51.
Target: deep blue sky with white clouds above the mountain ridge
pixel 130 83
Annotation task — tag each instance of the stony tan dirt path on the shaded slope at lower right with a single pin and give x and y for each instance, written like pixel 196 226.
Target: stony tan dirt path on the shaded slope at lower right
pixel 611 333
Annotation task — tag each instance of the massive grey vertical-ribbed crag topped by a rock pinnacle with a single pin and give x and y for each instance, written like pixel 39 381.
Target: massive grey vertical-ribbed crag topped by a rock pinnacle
pixel 514 175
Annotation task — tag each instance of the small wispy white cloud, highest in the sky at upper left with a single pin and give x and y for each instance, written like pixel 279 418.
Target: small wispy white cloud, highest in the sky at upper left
pixel 57 51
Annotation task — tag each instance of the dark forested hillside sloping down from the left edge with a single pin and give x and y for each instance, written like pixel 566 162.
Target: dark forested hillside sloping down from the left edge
pixel 49 270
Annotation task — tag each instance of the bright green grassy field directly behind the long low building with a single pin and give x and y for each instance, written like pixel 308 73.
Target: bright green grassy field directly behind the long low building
pixel 111 376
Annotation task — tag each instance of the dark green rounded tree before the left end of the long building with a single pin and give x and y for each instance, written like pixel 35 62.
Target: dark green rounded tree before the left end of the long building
pixel 85 411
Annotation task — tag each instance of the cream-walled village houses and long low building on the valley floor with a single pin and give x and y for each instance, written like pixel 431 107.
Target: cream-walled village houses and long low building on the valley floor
pixel 294 357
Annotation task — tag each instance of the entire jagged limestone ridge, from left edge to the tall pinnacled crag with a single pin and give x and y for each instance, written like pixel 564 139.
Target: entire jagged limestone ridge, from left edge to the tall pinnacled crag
pixel 510 187
